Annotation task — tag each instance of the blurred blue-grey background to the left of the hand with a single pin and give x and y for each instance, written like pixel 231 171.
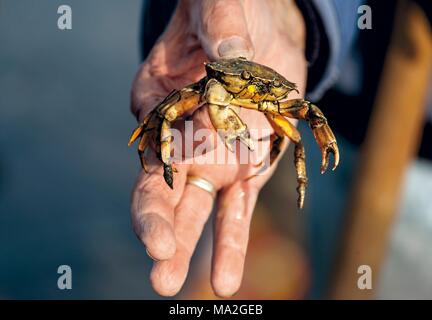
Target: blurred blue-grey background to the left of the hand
pixel 65 169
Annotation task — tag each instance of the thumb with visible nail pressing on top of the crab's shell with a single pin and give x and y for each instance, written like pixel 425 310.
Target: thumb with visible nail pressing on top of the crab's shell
pixel 222 29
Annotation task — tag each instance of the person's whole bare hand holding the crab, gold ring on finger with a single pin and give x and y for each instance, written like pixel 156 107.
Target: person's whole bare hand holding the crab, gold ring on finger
pixel 170 222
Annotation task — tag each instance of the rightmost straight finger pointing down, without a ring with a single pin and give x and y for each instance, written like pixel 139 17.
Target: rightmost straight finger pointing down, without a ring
pixel 231 233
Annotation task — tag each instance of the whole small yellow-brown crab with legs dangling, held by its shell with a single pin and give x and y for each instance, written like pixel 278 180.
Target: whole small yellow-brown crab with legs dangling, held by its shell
pixel 233 83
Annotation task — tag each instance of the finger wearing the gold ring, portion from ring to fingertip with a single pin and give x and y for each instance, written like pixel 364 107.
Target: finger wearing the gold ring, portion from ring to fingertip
pixel 167 277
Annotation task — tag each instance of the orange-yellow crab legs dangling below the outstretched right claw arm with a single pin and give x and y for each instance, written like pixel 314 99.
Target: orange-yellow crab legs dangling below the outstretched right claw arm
pixel 283 127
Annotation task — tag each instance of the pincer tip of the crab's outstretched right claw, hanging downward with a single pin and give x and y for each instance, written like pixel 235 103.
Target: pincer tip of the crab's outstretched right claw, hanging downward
pixel 327 143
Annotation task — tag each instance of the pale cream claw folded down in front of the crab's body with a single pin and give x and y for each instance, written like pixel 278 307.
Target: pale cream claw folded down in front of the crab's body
pixel 224 119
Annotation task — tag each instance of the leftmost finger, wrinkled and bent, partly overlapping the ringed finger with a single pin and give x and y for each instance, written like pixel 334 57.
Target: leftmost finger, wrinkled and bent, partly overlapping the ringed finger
pixel 153 204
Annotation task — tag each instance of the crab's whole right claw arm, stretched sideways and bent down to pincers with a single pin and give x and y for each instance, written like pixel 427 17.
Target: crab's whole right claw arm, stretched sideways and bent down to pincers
pixel 304 110
